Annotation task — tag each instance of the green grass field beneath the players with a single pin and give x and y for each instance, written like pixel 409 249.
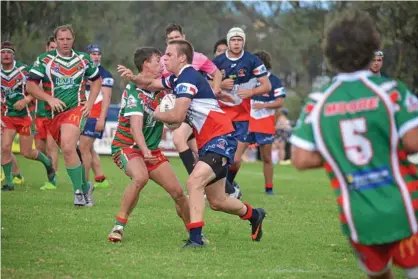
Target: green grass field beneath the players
pixel 44 236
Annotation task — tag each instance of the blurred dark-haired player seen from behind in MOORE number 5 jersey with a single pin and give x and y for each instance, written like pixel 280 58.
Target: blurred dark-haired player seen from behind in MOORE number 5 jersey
pixel 360 128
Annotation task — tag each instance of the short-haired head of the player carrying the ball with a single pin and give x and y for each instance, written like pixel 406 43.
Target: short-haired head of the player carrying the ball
pixel 178 54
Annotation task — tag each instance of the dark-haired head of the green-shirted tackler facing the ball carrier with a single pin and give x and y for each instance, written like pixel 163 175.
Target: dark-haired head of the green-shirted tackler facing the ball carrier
pixel 147 61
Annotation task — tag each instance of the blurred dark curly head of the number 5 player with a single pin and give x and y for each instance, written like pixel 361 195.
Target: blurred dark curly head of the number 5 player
pixel 350 41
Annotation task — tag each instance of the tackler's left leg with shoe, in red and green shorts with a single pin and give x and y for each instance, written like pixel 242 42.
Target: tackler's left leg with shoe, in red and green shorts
pixel 135 168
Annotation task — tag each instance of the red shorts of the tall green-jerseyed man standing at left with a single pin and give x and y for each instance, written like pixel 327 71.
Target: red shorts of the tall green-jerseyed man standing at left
pixel 73 116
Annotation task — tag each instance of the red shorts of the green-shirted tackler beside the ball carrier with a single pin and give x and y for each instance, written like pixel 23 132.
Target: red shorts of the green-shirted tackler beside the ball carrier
pixel 122 158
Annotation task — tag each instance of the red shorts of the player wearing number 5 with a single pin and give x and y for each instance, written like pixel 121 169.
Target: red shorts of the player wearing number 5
pixel 377 258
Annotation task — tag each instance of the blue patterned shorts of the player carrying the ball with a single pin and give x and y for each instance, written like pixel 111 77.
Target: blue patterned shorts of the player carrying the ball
pixel 224 145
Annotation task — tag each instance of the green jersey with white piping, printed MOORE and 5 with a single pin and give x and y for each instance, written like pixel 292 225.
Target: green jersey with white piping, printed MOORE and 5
pixel 357 124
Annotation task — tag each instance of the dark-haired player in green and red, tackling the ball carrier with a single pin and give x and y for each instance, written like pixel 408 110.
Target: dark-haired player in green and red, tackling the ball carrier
pixel 135 145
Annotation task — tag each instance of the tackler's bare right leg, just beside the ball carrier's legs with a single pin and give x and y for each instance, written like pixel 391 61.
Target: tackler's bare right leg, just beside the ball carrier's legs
pixel 164 175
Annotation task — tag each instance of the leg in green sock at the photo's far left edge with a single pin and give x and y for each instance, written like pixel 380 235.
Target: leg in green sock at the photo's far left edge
pixel 7 138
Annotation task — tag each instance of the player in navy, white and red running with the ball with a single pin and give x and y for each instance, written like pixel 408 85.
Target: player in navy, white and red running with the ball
pixel 197 103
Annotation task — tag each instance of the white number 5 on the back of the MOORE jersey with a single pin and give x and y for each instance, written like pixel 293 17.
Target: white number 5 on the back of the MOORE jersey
pixel 358 149
